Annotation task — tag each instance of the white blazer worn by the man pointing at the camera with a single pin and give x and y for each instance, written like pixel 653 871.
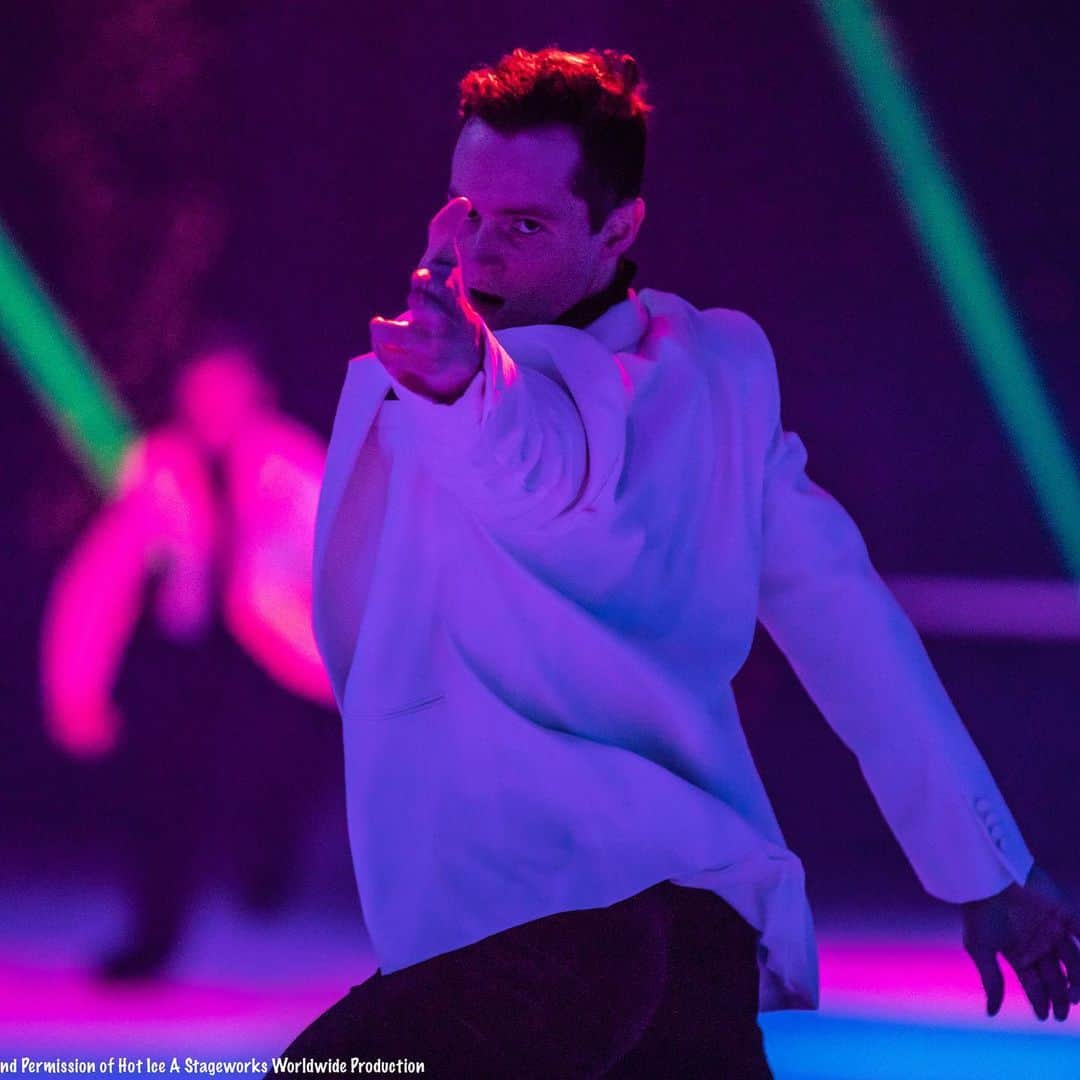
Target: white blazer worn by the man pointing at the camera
pixel 532 603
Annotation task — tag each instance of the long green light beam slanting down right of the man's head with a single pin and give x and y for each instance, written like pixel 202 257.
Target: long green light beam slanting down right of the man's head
pixel 962 266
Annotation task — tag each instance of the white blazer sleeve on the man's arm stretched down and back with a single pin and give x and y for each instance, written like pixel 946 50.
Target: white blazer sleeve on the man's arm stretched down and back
pixel 862 663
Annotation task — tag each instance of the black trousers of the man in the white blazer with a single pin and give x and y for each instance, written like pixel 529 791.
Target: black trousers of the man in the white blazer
pixel 661 984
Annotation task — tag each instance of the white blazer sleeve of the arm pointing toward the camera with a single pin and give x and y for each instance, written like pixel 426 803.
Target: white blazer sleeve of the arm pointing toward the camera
pixel 534 436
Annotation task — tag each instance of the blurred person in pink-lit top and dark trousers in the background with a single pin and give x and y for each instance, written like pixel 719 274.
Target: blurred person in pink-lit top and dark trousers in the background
pixel 172 633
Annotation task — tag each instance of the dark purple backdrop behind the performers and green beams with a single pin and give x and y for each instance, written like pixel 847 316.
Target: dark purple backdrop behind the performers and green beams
pixel 275 166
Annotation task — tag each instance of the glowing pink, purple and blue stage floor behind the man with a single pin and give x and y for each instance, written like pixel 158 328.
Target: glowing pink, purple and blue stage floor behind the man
pixel 900 1002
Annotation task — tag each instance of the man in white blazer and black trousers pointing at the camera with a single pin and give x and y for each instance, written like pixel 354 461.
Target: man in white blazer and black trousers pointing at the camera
pixel 552 512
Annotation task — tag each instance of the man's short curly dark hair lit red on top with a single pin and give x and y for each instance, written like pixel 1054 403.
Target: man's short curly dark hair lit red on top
pixel 599 94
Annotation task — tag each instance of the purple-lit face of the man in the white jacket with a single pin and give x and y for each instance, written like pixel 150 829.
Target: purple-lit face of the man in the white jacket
pixel 528 239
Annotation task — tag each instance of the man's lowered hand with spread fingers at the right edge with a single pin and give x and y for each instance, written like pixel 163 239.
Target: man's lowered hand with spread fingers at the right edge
pixel 1034 926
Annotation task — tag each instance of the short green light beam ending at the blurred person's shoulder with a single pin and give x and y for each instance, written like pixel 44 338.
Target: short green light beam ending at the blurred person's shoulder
pixel 59 370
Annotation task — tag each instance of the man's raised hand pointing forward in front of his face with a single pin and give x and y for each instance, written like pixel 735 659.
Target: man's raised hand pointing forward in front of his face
pixel 438 346
